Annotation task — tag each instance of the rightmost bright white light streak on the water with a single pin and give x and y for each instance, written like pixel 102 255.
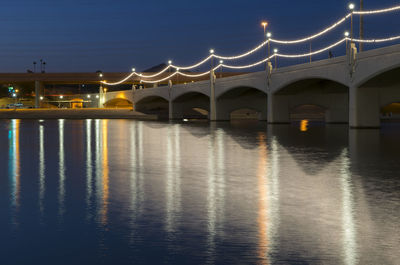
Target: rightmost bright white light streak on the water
pixel 348 225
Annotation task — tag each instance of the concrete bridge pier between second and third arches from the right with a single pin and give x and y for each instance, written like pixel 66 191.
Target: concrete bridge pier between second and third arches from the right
pixel 278 109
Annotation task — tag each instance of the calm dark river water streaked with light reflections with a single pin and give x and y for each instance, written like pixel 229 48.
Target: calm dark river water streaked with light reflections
pixel 129 192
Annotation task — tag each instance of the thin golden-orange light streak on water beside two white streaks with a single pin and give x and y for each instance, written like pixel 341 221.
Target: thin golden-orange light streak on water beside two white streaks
pixel 105 183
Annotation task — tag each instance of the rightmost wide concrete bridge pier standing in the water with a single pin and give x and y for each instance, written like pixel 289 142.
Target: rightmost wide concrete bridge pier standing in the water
pixel 364 108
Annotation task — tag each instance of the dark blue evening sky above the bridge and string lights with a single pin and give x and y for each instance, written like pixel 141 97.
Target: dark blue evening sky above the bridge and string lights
pixel 114 35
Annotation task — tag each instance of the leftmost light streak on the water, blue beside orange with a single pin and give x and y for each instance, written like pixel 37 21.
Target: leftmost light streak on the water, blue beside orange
pixel 14 160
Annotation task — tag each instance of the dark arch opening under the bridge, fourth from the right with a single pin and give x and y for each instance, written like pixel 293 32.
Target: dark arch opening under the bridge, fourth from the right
pixel 190 105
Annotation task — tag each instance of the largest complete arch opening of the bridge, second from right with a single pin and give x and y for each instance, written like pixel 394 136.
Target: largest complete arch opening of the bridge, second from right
pixel 330 95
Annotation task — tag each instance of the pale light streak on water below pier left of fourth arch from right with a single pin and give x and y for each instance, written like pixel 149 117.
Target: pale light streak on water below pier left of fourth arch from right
pixel 173 185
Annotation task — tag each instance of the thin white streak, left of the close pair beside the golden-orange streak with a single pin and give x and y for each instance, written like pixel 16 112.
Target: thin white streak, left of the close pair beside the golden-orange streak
pixel 89 169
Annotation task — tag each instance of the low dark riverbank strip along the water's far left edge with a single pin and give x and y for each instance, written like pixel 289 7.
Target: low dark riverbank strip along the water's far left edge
pixel 74 114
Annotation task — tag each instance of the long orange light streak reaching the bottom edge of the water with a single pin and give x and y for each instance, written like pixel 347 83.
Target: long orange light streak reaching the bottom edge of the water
pixel 263 201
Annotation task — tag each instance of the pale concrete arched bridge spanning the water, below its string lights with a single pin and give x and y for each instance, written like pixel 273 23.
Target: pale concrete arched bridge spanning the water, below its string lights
pixel 350 89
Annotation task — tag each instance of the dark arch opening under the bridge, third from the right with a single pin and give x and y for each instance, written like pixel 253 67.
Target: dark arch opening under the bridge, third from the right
pixel 251 100
